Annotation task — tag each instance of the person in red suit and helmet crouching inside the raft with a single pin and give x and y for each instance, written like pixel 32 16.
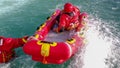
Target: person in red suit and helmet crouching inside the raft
pixel 69 18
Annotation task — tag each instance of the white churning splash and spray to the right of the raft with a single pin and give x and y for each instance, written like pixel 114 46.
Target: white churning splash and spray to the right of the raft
pixel 103 49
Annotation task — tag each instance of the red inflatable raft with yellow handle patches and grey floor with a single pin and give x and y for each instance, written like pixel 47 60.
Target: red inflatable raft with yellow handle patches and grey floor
pixel 51 47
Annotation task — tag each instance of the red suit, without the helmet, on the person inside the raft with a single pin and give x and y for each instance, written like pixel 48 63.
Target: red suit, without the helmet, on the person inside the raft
pixel 69 21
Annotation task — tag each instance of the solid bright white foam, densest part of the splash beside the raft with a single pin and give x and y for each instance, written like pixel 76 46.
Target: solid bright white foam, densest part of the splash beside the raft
pixel 96 51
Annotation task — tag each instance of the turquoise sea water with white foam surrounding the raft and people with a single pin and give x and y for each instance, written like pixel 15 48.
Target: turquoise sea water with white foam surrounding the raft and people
pixel 21 17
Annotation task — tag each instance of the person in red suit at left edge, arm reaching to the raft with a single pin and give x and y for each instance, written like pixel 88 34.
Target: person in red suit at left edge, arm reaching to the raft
pixel 7 46
